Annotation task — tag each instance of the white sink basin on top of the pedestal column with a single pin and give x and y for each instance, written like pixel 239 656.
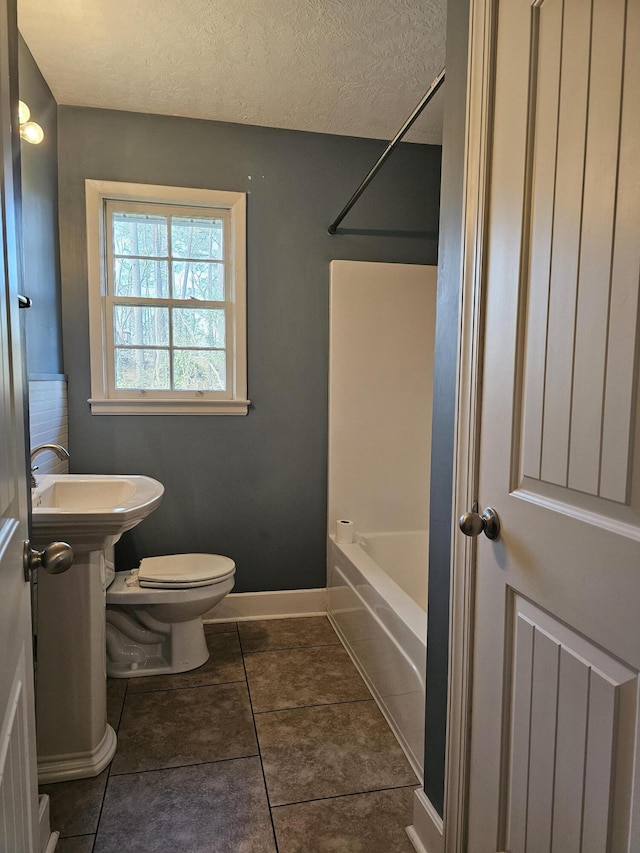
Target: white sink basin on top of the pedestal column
pixel 91 510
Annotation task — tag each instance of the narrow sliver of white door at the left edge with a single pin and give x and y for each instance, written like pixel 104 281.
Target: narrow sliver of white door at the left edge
pixel 18 774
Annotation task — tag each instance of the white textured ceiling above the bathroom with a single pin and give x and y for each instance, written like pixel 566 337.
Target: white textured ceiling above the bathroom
pixel 354 67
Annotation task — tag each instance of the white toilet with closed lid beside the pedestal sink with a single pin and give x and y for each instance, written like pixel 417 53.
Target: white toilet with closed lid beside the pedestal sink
pixel 154 613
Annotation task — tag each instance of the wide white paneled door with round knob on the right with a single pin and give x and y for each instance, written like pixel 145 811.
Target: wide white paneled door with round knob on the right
pixel 554 720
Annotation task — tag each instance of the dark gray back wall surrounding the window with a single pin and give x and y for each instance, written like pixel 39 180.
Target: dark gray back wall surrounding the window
pixel 251 487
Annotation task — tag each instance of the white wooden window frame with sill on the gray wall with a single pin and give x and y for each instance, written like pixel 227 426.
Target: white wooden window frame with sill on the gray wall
pixel 105 399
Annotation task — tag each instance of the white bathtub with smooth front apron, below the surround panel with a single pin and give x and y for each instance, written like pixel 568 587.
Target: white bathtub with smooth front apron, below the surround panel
pixel 377 600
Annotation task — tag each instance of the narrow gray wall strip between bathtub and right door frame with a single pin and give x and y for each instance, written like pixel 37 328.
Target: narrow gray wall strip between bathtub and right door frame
pixel 444 400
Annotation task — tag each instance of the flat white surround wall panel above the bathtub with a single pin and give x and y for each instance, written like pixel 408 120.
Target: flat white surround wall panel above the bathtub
pixel 382 319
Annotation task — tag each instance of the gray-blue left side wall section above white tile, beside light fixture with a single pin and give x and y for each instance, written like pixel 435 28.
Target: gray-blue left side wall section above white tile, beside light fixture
pixel 39 173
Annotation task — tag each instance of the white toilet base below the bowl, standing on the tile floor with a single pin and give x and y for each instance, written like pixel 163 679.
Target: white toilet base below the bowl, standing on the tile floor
pixel 178 647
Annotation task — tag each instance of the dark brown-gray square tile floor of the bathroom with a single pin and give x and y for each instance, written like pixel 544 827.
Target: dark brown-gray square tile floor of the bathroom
pixel 272 745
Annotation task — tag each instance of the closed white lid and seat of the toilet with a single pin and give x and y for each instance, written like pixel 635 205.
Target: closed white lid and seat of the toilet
pixel 184 570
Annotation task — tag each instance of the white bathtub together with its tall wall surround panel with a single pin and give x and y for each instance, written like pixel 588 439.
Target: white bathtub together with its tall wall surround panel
pixel 380 398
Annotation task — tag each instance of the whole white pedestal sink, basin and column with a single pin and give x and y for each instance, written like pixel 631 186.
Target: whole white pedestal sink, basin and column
pixel 90 512
